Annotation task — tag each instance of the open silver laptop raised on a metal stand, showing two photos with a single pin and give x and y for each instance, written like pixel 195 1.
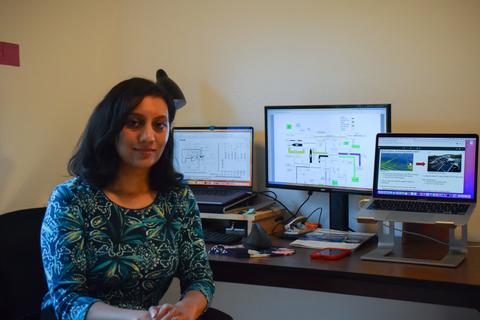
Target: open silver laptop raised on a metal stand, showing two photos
pixel 423 178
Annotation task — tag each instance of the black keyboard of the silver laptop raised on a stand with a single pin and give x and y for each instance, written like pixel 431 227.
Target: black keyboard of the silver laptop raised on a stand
pixel 416 206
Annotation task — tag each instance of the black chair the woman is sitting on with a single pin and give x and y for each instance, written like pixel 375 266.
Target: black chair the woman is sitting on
pixel 22 280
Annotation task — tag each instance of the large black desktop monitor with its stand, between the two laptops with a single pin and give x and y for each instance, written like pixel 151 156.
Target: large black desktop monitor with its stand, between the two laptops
pixel 329 148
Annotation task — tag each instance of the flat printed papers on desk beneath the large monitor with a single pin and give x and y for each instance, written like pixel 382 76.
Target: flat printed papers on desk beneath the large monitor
pixel 327 238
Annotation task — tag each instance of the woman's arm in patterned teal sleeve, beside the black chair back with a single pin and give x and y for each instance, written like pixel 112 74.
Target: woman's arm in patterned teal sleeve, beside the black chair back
pixel 63 255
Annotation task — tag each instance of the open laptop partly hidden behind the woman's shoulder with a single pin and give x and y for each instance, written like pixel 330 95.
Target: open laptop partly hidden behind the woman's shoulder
pixel 217 164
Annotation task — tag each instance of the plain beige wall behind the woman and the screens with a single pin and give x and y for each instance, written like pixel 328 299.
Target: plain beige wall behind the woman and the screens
pixel 230 58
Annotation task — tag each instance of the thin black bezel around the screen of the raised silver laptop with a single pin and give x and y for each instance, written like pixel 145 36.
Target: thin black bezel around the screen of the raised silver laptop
pixel 426 135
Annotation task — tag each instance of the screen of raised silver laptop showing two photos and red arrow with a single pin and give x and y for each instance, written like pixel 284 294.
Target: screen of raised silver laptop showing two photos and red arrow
pixel 426 166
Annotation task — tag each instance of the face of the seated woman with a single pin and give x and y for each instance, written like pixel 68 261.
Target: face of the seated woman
pixel 142 140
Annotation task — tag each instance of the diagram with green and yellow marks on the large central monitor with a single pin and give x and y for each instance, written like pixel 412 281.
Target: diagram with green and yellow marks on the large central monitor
pixel 317 156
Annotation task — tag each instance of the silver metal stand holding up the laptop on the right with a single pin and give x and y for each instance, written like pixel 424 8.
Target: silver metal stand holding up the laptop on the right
pixel 457 250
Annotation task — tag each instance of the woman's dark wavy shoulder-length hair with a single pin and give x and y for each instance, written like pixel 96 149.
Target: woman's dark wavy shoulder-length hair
pixel 96 159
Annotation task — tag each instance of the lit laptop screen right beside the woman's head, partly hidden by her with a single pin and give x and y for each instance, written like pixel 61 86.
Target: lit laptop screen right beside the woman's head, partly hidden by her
pixel 214 156
